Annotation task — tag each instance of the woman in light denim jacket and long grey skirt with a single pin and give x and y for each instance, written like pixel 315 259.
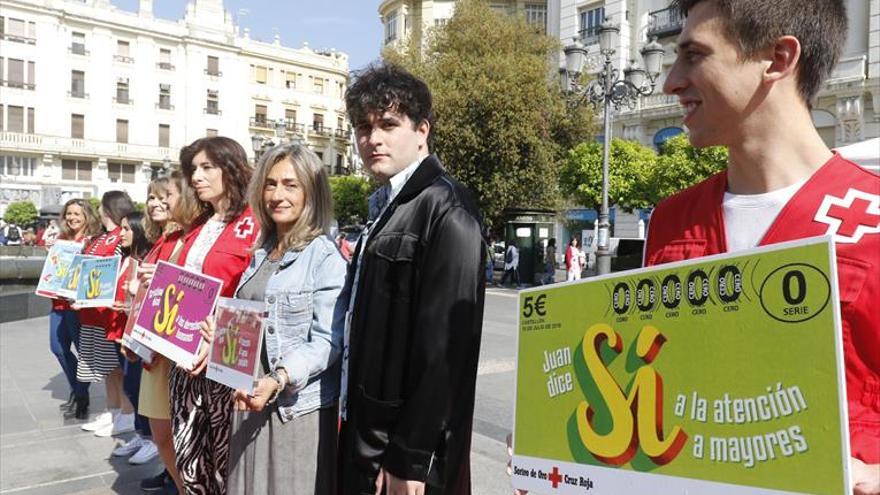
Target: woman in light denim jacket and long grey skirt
pixel 284 436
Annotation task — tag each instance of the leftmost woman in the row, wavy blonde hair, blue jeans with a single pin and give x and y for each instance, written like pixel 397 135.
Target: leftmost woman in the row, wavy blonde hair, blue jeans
pixel 78 223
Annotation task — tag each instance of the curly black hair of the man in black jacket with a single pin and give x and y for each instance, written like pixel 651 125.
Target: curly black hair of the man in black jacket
pixel 383 87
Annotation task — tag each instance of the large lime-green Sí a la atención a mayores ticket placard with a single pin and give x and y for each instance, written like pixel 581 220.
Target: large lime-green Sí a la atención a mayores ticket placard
pixel 718 375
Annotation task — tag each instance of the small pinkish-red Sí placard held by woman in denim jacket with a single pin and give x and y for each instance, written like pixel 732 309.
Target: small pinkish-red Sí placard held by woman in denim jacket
pixel 234 359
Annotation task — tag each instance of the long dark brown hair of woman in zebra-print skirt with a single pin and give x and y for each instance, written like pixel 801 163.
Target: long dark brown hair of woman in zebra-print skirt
pixel 227 154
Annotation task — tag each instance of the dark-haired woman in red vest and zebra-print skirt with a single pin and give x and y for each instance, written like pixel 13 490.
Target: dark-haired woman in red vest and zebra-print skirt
pixel 219 245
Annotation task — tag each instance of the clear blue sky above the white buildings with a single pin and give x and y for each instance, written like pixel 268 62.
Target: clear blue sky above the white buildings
pixel 351 26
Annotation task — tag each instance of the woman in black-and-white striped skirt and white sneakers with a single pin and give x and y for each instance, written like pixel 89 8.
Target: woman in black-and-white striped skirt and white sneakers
pixel 99 353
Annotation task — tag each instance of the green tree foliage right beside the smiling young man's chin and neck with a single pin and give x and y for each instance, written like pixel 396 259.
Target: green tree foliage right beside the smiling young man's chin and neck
pixel 680 165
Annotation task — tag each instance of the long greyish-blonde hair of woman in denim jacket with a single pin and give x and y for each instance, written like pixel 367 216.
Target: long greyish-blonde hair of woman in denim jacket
pixel 318 208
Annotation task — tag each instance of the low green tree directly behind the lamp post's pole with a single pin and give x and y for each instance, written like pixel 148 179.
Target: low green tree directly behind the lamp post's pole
pixel 629 165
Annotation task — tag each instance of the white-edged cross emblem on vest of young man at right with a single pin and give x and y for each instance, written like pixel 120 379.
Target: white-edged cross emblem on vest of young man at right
pixel 851 217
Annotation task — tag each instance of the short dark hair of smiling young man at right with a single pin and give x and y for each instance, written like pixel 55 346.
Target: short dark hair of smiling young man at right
pixel 819 25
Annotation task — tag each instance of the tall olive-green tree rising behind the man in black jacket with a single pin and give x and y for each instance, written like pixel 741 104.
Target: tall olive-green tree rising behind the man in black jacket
pixel 502 124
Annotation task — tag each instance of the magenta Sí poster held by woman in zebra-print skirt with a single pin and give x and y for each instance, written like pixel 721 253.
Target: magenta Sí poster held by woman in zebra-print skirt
pixel 177 302
